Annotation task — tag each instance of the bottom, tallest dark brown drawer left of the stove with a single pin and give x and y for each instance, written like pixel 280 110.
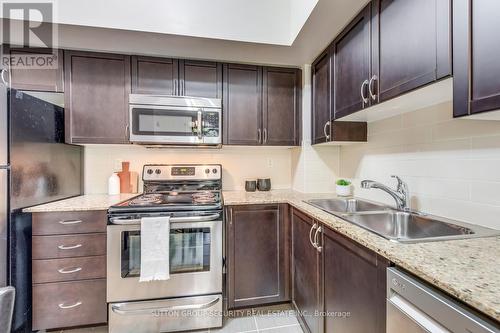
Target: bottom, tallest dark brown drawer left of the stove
pixel 57 305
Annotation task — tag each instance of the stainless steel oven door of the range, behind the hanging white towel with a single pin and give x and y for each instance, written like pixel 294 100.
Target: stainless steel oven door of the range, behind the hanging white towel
pixel 195 260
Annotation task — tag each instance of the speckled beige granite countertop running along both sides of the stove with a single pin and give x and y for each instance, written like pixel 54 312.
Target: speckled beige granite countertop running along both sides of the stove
pixel 467 269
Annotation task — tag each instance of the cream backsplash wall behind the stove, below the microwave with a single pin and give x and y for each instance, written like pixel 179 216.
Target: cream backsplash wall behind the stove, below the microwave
pixel 239 163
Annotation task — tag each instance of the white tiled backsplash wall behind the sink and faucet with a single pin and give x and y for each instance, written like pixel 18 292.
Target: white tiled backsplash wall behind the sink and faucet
pixel 452 166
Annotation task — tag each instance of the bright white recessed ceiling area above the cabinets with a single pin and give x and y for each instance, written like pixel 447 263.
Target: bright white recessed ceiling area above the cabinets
pixel 257 21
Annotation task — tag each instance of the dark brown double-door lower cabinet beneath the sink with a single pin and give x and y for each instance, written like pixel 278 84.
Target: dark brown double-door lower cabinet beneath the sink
pixel 338 285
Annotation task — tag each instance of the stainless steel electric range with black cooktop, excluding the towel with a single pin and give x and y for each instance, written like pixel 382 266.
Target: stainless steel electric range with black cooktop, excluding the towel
pixel 192 298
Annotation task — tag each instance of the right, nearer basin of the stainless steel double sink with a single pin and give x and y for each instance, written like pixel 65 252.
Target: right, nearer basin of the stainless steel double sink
pixel 409 227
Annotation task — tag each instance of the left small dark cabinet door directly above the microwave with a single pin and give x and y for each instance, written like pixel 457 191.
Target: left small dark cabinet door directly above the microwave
pixel 155 76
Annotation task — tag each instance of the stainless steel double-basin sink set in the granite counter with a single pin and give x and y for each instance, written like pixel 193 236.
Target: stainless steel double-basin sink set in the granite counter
pixel 400 226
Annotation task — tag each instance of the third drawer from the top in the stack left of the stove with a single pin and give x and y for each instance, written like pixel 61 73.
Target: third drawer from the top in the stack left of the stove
pixel 69 269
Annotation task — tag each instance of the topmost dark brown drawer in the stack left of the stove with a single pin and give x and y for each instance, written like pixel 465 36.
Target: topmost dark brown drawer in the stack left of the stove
pixel 61 223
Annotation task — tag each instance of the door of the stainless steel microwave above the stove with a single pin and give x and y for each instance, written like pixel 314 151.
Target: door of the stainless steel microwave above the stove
pixel 156 124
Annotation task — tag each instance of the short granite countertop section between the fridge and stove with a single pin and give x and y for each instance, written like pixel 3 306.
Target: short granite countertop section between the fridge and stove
pixel 83 202
